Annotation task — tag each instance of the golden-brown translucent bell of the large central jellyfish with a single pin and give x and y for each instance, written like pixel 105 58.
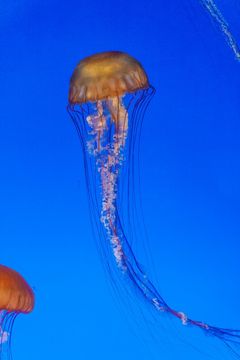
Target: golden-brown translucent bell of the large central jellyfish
pixel 104 75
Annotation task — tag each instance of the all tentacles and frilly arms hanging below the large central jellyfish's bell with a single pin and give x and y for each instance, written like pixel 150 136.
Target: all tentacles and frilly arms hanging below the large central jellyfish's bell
pixel 104 133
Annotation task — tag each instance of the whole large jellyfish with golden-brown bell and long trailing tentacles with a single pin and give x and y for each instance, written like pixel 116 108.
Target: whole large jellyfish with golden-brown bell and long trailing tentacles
pixel 108 96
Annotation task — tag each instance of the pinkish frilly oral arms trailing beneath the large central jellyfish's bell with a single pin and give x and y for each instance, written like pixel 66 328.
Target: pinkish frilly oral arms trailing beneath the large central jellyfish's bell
pixel 109 157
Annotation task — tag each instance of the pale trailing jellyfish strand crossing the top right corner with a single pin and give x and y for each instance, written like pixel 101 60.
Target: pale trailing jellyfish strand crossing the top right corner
pixel 217 16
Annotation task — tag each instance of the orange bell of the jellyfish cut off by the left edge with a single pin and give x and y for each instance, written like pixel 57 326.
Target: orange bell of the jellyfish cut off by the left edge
pixel 15 294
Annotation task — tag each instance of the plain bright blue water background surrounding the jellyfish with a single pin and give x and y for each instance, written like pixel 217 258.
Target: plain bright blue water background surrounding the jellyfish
pixel 190 175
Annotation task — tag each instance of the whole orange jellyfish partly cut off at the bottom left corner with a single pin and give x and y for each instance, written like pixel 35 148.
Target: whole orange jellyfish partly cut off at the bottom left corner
pixel 16 297
